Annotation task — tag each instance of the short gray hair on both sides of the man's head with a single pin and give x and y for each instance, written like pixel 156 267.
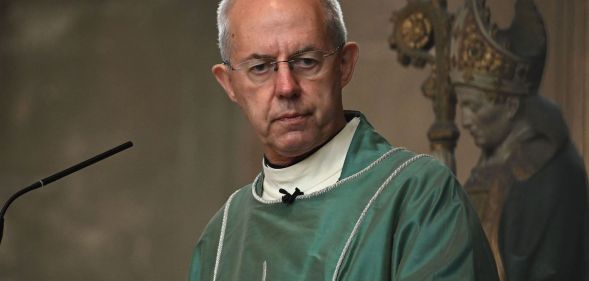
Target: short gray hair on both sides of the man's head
pixel 336 27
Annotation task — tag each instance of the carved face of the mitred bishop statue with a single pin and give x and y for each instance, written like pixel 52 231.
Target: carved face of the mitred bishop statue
pixel 488 122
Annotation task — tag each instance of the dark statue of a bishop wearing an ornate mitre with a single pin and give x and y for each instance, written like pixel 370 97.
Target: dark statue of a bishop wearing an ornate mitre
pixel 529 186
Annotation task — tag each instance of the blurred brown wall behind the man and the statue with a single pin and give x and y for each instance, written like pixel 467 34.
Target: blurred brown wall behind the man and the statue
pixel 79 77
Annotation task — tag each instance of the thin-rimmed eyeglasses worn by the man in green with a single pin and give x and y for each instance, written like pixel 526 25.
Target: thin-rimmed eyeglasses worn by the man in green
pixel 308 65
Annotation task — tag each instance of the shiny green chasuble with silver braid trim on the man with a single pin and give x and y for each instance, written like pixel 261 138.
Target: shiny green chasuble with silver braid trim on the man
pixel 393 215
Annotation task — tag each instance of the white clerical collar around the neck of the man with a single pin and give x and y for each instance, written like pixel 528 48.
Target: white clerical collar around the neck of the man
pixel 321 169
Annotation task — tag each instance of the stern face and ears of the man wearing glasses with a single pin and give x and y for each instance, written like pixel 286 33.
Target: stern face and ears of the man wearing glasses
pixel 291 115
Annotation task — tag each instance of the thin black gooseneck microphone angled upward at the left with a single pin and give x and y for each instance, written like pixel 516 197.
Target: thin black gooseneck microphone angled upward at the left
pixel 57 176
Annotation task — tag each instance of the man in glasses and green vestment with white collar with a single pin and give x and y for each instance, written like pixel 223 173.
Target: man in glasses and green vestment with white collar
pixel 334 201
